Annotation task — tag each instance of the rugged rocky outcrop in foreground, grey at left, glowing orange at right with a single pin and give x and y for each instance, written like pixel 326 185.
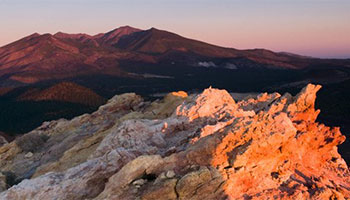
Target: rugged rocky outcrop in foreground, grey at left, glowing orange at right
pixel 205 146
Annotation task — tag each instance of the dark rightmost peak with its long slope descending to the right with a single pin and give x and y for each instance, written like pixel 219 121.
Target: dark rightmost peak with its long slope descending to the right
pixel 159 42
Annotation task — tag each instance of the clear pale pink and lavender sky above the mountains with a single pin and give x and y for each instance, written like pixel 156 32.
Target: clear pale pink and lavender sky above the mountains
pixel 318 28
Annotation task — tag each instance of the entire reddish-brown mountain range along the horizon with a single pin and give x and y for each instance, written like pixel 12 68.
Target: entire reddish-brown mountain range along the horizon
pixel 45 57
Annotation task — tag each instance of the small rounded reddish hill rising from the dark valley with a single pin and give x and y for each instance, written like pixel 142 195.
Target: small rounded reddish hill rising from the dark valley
pixel 64 92
